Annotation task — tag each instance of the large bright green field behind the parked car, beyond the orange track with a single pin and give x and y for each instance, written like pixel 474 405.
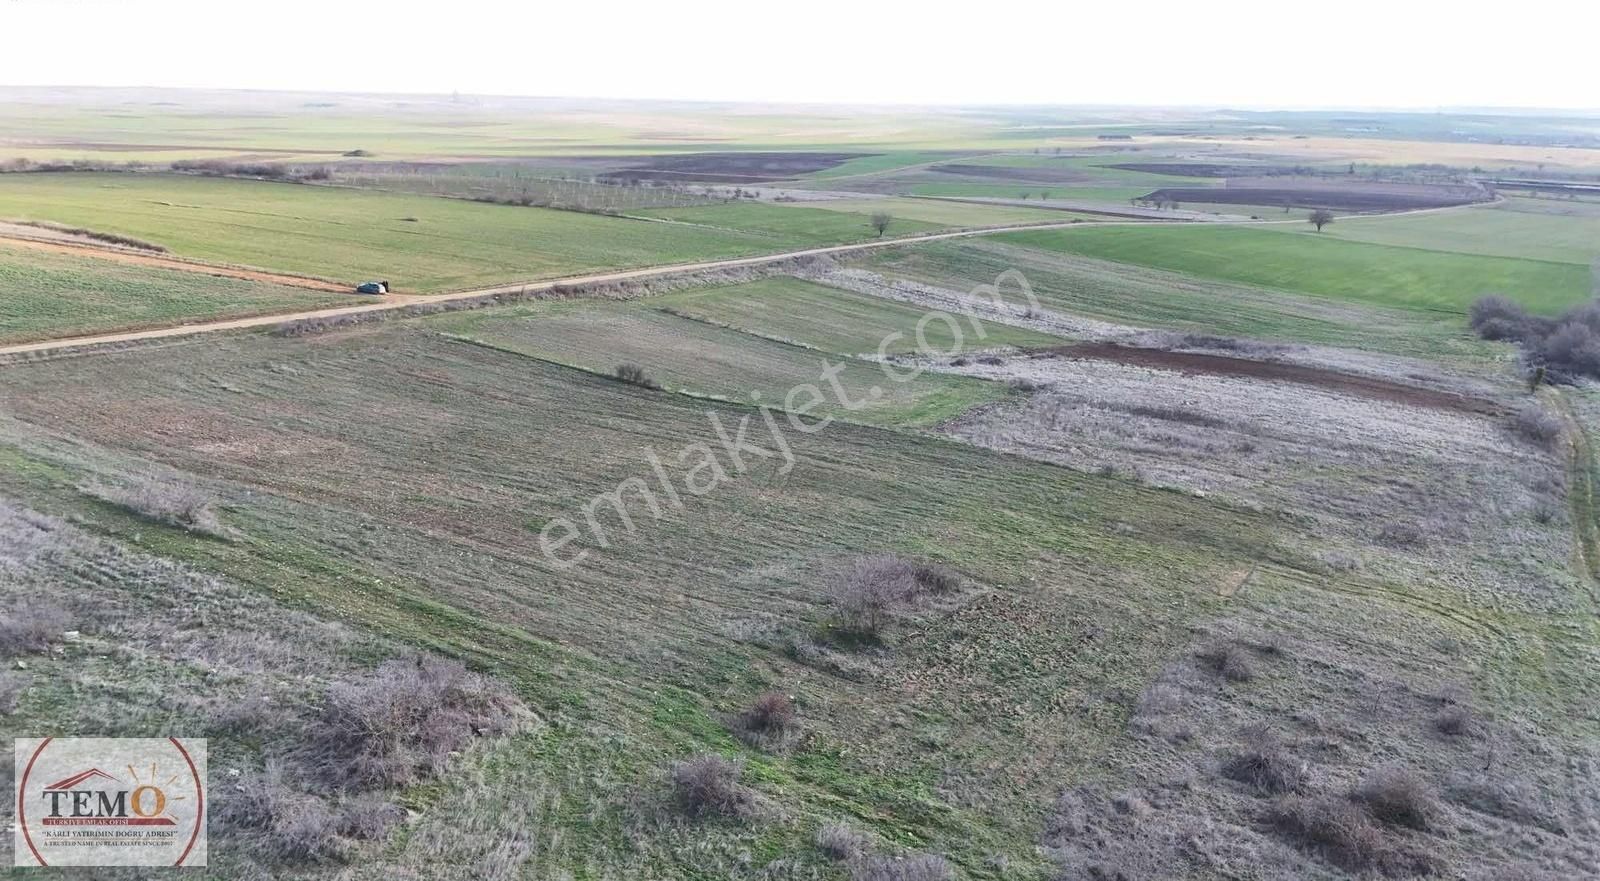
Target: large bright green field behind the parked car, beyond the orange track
pixel 359 234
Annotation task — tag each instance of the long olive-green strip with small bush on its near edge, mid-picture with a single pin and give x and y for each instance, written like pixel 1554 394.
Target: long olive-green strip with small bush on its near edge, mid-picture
pixel 698 359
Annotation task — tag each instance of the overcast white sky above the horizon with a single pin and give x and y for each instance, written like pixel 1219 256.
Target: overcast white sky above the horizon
pixel 1390 54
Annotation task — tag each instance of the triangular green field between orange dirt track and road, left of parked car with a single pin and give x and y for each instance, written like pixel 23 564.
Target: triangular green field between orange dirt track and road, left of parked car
pixel 46 295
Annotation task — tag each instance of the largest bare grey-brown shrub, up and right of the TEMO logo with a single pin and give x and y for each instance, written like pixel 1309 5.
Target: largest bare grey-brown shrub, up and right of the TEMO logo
pixel 401 725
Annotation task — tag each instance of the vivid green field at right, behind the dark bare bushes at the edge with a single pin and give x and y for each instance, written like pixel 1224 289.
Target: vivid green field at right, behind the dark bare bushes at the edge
pixel 1326 266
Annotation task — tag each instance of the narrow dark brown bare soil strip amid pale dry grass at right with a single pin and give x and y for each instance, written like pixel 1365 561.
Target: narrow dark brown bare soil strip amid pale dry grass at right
pixel 1342 383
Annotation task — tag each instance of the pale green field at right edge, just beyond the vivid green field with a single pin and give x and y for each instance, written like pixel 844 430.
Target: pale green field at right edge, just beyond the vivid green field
pixel 1519 228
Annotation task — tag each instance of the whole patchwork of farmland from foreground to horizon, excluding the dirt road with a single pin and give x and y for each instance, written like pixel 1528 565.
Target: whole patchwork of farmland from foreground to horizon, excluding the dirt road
pixel 1119 551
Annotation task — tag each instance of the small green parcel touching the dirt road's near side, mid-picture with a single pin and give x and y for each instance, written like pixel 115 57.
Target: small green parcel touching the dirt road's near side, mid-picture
pixel 836 321
